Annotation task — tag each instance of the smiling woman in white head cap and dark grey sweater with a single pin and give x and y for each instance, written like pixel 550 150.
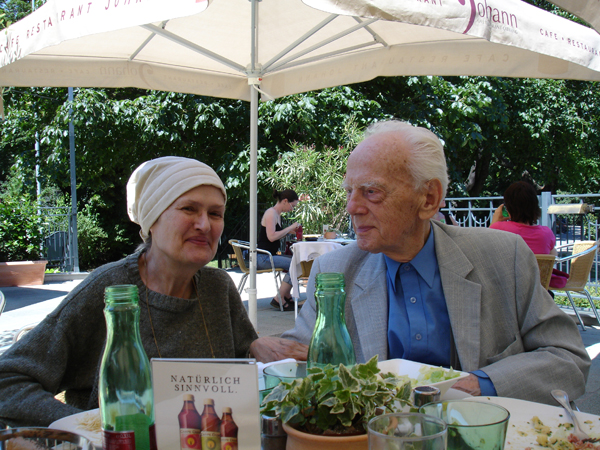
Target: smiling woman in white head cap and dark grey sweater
pixel 187 310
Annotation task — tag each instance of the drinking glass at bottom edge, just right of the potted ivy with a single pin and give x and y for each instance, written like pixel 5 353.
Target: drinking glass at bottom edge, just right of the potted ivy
pixel 407 431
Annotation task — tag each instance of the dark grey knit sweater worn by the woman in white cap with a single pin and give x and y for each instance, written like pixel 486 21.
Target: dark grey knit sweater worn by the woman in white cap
pixel 63 352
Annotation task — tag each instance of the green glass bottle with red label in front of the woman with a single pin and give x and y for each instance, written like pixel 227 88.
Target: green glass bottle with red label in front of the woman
pixel 125 385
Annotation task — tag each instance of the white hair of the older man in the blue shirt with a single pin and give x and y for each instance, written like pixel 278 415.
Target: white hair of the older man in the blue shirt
pixel 427 160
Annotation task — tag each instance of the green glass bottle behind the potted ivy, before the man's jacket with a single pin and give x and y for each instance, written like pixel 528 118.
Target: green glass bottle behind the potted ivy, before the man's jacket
pixel 330 343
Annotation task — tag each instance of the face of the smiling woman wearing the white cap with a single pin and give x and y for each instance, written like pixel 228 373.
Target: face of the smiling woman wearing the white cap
pixel 188 231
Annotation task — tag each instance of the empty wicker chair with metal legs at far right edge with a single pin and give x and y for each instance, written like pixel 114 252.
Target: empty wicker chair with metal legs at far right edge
pixel 582 258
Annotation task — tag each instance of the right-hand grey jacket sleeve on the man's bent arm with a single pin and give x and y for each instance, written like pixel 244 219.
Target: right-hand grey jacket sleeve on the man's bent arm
pixel 547 351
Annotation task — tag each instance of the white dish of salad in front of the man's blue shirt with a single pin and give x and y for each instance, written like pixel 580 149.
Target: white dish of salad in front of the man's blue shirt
pixel 423 374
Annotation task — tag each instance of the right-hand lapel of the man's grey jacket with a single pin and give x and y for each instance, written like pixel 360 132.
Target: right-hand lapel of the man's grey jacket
pixel 463 298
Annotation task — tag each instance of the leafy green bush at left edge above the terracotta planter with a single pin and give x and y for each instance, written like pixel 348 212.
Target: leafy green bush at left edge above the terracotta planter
pixel 20 229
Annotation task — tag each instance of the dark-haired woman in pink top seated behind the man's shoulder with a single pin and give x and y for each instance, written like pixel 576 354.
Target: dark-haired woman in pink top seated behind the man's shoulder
pixel 521 202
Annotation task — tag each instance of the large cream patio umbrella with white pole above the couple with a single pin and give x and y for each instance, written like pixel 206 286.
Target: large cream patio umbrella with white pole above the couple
pixel 235 48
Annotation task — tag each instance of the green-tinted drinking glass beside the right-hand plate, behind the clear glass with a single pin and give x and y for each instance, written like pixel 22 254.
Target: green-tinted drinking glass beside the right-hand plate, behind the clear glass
pixel 471 424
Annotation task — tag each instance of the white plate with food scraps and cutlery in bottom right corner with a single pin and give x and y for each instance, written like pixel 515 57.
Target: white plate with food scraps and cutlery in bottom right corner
pixel 537 426
